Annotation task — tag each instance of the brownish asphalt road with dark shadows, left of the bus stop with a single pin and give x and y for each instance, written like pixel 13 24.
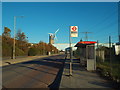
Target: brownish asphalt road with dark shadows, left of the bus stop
pixel 38 73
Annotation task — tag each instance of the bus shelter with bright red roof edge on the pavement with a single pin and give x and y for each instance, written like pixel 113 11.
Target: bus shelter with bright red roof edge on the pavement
pixel 86 53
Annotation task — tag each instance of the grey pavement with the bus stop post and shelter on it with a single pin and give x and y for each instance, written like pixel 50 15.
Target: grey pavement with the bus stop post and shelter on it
pixel 81 78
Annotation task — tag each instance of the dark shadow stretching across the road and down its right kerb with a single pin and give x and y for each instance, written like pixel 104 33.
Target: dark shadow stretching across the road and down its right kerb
pixel 56 63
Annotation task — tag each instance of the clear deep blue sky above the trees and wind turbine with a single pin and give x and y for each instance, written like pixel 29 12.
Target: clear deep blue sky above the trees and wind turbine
pixel 41 18
